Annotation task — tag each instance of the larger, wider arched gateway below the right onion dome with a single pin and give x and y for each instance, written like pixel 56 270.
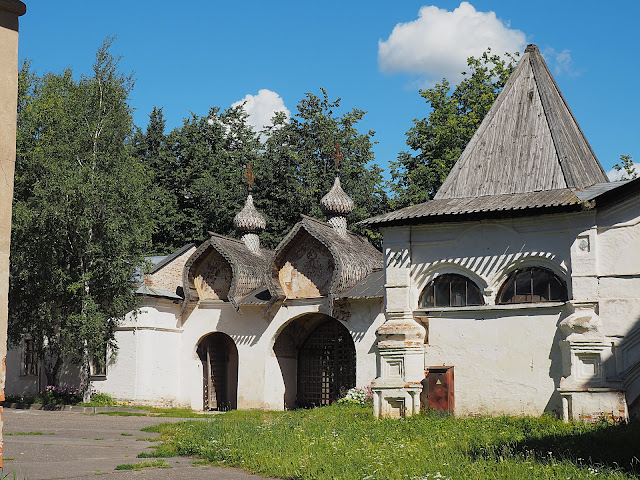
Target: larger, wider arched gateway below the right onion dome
pixel 317 357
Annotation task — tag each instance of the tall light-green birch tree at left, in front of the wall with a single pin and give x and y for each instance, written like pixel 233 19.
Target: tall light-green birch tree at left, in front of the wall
pixel 81 218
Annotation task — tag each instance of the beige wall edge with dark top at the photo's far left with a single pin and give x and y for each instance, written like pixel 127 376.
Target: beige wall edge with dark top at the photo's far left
pixel 10 10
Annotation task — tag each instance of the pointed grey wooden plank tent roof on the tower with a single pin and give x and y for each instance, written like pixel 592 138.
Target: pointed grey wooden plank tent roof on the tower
pixel 529 141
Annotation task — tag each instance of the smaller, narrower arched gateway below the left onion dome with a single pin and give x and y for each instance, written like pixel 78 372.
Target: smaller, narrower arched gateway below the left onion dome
pixel 219 357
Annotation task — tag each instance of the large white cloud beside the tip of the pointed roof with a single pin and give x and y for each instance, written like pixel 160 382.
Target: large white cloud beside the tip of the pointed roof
pixel 439 42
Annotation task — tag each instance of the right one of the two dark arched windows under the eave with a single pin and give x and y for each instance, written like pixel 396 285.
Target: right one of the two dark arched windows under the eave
pixel 531 285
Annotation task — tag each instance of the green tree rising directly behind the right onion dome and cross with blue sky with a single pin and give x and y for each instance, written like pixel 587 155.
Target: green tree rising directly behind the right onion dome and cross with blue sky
pixel 297 166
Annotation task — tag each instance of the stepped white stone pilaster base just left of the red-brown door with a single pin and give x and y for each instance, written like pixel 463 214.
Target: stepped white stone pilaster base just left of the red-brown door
pixel 396 390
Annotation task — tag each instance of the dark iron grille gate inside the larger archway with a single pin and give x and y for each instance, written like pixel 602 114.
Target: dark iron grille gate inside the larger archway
pixel 326 365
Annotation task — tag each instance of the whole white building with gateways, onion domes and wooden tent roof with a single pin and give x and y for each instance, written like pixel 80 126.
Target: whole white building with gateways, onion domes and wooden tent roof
pixel 516 290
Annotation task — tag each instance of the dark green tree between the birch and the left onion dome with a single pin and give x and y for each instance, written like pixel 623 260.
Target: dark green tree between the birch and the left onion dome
pixel 197 171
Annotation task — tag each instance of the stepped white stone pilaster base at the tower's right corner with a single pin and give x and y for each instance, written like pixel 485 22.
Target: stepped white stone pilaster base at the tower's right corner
pixel 589 390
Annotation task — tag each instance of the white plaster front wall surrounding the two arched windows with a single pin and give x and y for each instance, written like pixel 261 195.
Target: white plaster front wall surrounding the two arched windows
pixel 506 358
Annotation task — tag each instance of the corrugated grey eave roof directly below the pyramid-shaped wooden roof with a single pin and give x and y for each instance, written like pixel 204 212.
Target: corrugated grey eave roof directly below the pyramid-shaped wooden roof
pixel 446 207
